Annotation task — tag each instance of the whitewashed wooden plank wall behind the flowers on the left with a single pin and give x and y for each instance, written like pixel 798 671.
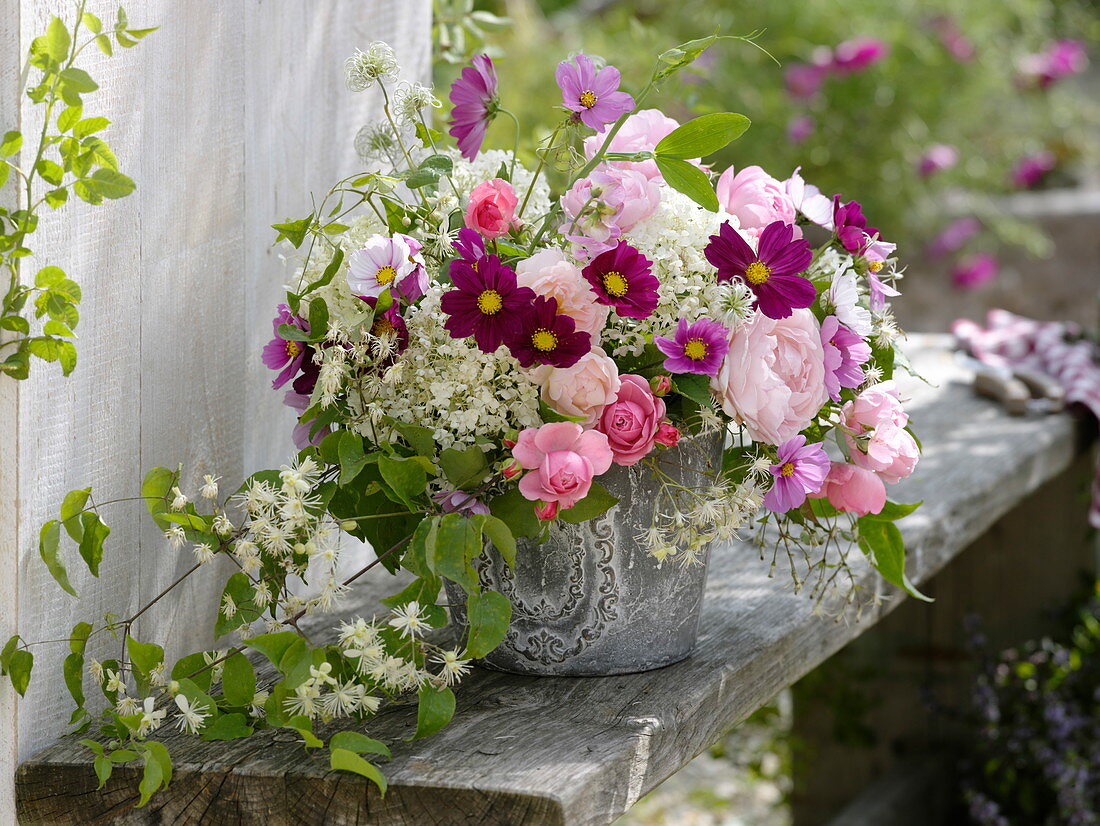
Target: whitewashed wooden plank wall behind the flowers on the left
pixel 227 119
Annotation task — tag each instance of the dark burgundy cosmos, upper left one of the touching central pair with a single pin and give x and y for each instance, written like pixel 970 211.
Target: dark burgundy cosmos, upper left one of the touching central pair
pixel 486 303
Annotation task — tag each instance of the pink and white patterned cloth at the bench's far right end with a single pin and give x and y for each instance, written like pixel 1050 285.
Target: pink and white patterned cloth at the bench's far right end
pixel 1059 350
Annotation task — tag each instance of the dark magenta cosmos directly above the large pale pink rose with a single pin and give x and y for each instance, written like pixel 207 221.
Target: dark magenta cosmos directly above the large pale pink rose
pixel 772 272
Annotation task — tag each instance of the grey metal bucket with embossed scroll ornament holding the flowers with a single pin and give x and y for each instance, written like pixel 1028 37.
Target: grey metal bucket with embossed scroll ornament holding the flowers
pixel 591 601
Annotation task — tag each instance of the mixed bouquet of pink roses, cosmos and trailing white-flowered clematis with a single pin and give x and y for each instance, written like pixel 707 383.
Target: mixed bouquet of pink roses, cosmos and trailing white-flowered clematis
pixel 472 359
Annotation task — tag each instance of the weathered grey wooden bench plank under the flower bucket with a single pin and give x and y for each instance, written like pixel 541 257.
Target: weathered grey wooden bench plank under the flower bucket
pixel 581 752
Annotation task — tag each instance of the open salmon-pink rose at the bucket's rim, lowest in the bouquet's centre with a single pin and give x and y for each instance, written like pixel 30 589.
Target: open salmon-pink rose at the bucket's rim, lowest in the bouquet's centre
pixel 562 459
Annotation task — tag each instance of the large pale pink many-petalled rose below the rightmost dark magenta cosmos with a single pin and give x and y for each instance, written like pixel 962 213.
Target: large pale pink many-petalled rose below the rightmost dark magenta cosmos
pixel 774 377
